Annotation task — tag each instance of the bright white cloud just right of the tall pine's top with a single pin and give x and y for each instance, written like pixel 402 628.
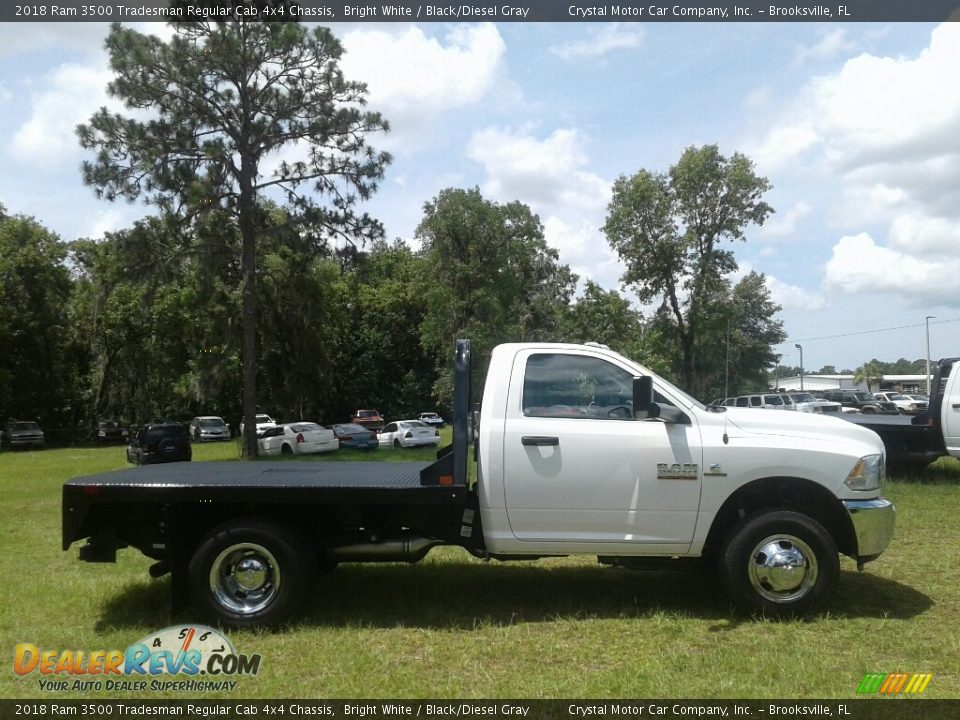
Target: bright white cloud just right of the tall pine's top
pixel 412 77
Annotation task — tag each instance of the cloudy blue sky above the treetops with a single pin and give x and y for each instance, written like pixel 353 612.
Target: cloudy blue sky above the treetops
pixel 855 125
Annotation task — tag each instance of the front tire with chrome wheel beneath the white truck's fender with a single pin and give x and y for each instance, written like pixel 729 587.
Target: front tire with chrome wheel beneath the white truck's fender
pixel 779 564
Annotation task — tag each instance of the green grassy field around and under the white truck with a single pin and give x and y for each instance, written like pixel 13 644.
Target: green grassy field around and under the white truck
pixel 456 627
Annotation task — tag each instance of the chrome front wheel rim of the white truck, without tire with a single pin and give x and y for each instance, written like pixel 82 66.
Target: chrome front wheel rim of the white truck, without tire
pixel 782 568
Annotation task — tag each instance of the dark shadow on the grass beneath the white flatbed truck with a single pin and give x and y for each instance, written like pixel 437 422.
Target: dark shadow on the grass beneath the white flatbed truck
pixel 463 596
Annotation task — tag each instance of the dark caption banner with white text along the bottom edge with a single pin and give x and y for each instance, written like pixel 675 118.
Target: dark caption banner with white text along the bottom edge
pixel 852 709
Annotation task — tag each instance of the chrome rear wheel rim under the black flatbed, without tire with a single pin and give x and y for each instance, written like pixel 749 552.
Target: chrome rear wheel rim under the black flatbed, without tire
pixel 245 578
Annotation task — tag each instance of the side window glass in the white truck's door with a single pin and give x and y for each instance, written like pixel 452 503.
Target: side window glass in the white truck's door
pixel 575 386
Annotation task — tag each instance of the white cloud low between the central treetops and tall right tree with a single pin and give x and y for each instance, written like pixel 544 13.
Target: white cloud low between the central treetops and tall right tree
pixel 546 173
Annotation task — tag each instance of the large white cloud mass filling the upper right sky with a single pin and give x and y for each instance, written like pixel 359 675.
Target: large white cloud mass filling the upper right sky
pixel 887 130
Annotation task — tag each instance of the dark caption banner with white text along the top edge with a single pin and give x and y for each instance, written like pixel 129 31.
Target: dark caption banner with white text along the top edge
pixel 328 11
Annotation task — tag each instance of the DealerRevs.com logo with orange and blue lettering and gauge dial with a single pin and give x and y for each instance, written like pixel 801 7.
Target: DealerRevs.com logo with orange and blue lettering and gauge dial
pixel 200 657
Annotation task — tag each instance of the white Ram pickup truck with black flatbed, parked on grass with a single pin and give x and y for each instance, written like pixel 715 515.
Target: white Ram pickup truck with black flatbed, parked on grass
pixel 578 450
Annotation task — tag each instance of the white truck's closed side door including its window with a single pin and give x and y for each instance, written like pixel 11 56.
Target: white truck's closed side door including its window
pixel 579 468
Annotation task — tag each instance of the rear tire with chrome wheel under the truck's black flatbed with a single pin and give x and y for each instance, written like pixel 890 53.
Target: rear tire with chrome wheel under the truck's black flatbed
pixel 250 573
